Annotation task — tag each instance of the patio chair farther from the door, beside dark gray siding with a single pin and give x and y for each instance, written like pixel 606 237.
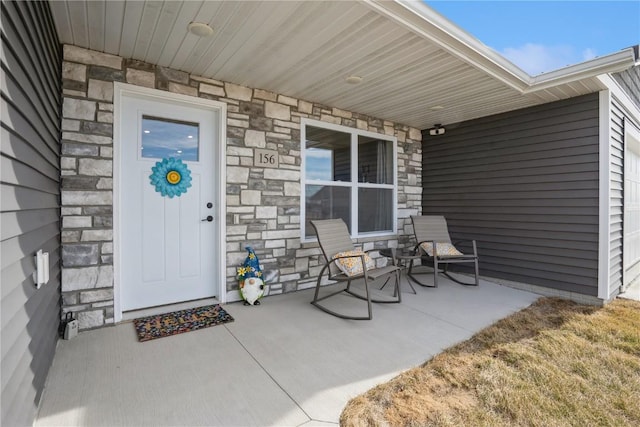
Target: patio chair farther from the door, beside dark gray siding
pixel 434 243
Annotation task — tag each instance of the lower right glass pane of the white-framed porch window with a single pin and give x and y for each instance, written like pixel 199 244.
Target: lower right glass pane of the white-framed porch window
pixel 375 210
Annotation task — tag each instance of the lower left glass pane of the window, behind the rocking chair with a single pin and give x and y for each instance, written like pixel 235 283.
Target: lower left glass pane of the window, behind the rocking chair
pixel 326 202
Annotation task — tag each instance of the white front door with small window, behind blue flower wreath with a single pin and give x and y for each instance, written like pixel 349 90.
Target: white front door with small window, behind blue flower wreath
pixel 167 244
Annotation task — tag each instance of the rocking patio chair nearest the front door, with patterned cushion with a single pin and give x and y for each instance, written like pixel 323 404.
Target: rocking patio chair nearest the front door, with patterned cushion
pixel 344 263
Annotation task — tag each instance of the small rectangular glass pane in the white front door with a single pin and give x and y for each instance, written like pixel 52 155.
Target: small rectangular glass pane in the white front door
pixel 163 138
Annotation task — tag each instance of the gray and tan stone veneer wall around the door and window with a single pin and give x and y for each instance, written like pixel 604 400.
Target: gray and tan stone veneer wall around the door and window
pixel 263 205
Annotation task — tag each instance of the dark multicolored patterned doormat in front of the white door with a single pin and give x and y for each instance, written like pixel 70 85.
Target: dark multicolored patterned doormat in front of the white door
pixel 177 322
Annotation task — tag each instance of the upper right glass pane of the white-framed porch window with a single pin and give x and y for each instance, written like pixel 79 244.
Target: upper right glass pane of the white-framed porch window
pixel 375 160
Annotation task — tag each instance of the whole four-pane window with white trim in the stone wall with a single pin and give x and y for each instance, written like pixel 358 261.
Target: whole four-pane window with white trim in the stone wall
pixel 350 174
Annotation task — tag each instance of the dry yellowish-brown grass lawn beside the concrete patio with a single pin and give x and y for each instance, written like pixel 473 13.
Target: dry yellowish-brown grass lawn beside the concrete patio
pixel 556 363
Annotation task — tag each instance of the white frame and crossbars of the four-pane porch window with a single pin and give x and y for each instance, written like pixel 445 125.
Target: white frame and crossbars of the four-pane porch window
pixel 354 184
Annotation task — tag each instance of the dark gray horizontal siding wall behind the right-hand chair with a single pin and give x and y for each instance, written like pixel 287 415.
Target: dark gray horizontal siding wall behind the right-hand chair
pixel 524 184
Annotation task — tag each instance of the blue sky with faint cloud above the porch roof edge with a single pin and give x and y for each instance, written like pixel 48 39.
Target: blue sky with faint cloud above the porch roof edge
pixel 541 36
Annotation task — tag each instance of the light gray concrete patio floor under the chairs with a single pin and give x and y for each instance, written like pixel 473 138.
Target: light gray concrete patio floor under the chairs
pixel 283 363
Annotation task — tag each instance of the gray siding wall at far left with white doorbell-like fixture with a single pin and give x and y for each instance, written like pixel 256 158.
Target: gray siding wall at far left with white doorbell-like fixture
pixel 30 209
